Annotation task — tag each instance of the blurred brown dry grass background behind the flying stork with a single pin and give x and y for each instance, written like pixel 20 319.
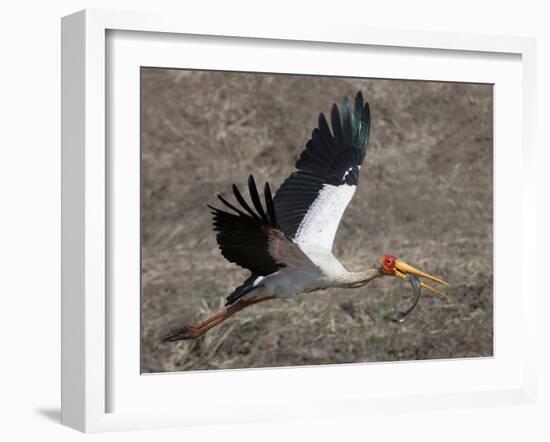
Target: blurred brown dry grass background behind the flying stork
pixel 425 195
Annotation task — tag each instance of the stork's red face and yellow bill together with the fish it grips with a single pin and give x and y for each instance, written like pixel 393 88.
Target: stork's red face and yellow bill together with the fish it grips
pixel 394 267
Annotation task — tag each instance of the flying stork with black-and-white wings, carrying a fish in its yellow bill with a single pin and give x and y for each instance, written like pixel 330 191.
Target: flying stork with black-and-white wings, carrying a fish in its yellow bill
pixel 286 240
